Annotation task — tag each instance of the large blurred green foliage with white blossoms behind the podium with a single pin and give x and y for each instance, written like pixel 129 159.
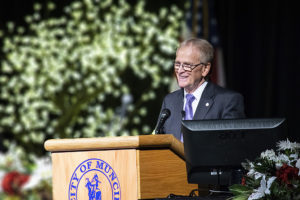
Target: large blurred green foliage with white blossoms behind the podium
pixel 65 76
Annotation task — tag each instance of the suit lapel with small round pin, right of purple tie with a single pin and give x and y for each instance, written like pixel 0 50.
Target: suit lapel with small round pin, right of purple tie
pixel 206 102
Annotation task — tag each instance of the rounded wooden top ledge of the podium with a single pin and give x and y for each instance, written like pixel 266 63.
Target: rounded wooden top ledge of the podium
pixel 110 143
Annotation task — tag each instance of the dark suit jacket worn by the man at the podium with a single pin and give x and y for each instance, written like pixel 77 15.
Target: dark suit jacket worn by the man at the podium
pixel 215 103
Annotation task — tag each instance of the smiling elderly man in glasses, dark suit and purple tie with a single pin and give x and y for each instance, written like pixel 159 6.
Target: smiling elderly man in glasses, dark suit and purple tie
pixel 198 98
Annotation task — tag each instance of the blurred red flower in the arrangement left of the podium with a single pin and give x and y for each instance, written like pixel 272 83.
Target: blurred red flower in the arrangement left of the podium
pixel 13 181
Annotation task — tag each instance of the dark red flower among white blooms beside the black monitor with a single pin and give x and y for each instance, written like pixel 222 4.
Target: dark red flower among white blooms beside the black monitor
pixel 287 173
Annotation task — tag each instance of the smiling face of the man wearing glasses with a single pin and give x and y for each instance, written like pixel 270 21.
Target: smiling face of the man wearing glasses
pixel 190 80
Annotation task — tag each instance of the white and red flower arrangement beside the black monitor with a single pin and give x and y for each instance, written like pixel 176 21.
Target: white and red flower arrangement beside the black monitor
pixel 272 176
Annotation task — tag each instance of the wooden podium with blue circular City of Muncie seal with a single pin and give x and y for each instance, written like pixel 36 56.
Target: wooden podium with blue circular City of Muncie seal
pixel 127 168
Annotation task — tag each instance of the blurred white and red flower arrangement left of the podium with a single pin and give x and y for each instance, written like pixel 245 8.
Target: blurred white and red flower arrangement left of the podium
pixel 24 180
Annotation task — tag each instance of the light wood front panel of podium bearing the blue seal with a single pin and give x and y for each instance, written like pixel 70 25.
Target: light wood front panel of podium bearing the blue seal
pixel 84 175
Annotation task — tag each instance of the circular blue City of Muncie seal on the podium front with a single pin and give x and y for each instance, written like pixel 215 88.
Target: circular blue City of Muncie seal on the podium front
pixel 94 179
